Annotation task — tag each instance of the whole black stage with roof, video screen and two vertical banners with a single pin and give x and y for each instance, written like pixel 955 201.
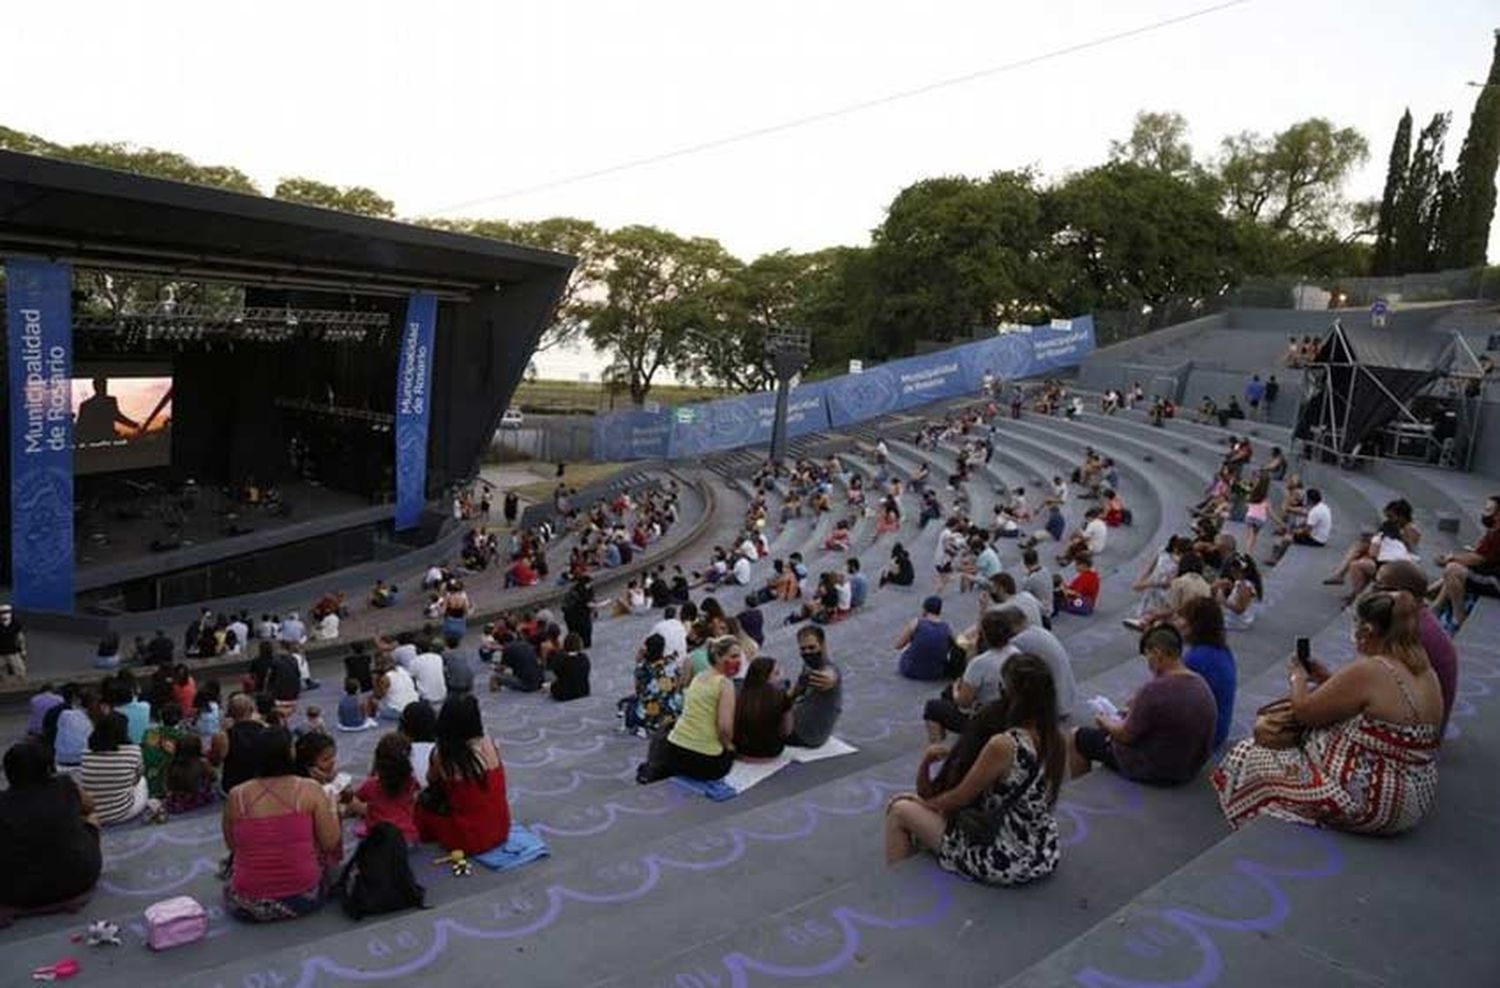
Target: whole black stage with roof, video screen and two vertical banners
pixel 200 344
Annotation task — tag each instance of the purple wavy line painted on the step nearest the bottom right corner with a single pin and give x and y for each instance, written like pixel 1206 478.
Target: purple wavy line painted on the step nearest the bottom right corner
pixel 1199 926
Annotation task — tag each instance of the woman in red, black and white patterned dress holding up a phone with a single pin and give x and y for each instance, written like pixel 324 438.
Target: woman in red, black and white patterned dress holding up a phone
pixel 1367 759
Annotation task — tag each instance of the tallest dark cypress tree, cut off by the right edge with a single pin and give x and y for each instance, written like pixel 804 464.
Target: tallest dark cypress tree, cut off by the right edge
pixel 1472 208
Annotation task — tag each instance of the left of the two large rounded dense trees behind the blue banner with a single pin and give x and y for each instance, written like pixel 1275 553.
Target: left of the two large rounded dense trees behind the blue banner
pixel 953 256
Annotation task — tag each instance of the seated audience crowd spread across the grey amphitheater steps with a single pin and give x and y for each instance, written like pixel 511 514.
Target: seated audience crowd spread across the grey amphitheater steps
pixel 1004 732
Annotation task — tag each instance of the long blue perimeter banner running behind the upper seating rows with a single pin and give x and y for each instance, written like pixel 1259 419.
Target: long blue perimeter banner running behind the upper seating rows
pixel 844 401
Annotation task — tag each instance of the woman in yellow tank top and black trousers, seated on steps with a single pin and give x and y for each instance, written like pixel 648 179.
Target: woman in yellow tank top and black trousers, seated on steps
pixel 701 746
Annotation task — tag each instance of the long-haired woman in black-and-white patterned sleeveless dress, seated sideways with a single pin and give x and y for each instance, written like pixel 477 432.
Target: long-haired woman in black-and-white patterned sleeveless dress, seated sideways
pixel 1009 765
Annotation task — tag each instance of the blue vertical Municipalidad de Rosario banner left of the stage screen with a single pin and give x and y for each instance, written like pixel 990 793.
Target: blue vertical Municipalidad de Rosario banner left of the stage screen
pixel 40 326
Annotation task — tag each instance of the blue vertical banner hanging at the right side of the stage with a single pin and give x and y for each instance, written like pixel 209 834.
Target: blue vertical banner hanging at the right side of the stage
pixel 415 409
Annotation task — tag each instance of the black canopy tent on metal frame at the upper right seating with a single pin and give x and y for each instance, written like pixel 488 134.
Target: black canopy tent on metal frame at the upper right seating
pixel 1366 379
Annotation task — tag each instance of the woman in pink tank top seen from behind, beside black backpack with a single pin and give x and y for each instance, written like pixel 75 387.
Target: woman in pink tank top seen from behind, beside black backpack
pixel 280 830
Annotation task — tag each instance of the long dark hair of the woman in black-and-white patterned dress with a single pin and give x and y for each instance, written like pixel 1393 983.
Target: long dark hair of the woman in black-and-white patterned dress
pixel 1030 701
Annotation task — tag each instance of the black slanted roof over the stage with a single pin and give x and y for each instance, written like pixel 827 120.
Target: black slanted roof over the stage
pixel 127 223
